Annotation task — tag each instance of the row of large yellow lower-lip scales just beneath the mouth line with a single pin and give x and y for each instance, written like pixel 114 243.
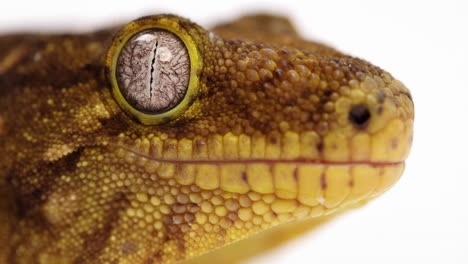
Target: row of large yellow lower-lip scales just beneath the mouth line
pixel 326 185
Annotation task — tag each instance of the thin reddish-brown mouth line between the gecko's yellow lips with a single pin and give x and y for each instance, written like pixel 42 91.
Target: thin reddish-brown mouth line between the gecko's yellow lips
pixel 299 161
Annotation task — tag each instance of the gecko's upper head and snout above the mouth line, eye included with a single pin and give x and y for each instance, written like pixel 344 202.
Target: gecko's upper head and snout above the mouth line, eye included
pixel 268 101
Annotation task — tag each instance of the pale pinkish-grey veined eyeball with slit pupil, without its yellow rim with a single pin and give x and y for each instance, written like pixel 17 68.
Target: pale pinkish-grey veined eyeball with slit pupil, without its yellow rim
pixel 153 71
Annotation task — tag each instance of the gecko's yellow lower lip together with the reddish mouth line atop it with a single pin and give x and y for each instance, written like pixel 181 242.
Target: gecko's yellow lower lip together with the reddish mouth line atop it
pixel 332 181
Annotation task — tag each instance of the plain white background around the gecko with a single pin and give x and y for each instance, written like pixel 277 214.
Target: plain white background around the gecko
pixel 424 218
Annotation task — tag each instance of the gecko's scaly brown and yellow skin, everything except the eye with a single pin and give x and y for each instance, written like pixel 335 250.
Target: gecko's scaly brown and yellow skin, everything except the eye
pixel 282 129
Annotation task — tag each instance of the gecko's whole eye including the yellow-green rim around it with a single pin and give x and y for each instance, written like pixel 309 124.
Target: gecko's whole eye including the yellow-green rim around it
pixel 153 66
